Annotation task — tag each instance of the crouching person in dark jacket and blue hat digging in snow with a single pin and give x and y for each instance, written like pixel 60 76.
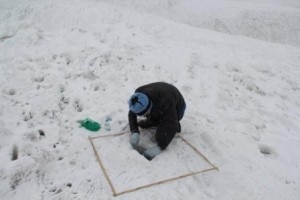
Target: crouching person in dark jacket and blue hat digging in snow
pixel 163 107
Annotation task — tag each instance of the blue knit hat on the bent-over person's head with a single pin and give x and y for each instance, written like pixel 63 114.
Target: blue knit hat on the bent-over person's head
pixel 139 103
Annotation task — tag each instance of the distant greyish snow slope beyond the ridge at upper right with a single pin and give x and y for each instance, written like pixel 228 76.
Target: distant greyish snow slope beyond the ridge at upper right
pixel 273 21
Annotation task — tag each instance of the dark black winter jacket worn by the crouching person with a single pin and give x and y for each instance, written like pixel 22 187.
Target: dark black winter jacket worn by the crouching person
pixel 167 111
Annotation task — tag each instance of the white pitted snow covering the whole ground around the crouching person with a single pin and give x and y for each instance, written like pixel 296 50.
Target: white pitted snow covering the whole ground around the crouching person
pixel 236 63
